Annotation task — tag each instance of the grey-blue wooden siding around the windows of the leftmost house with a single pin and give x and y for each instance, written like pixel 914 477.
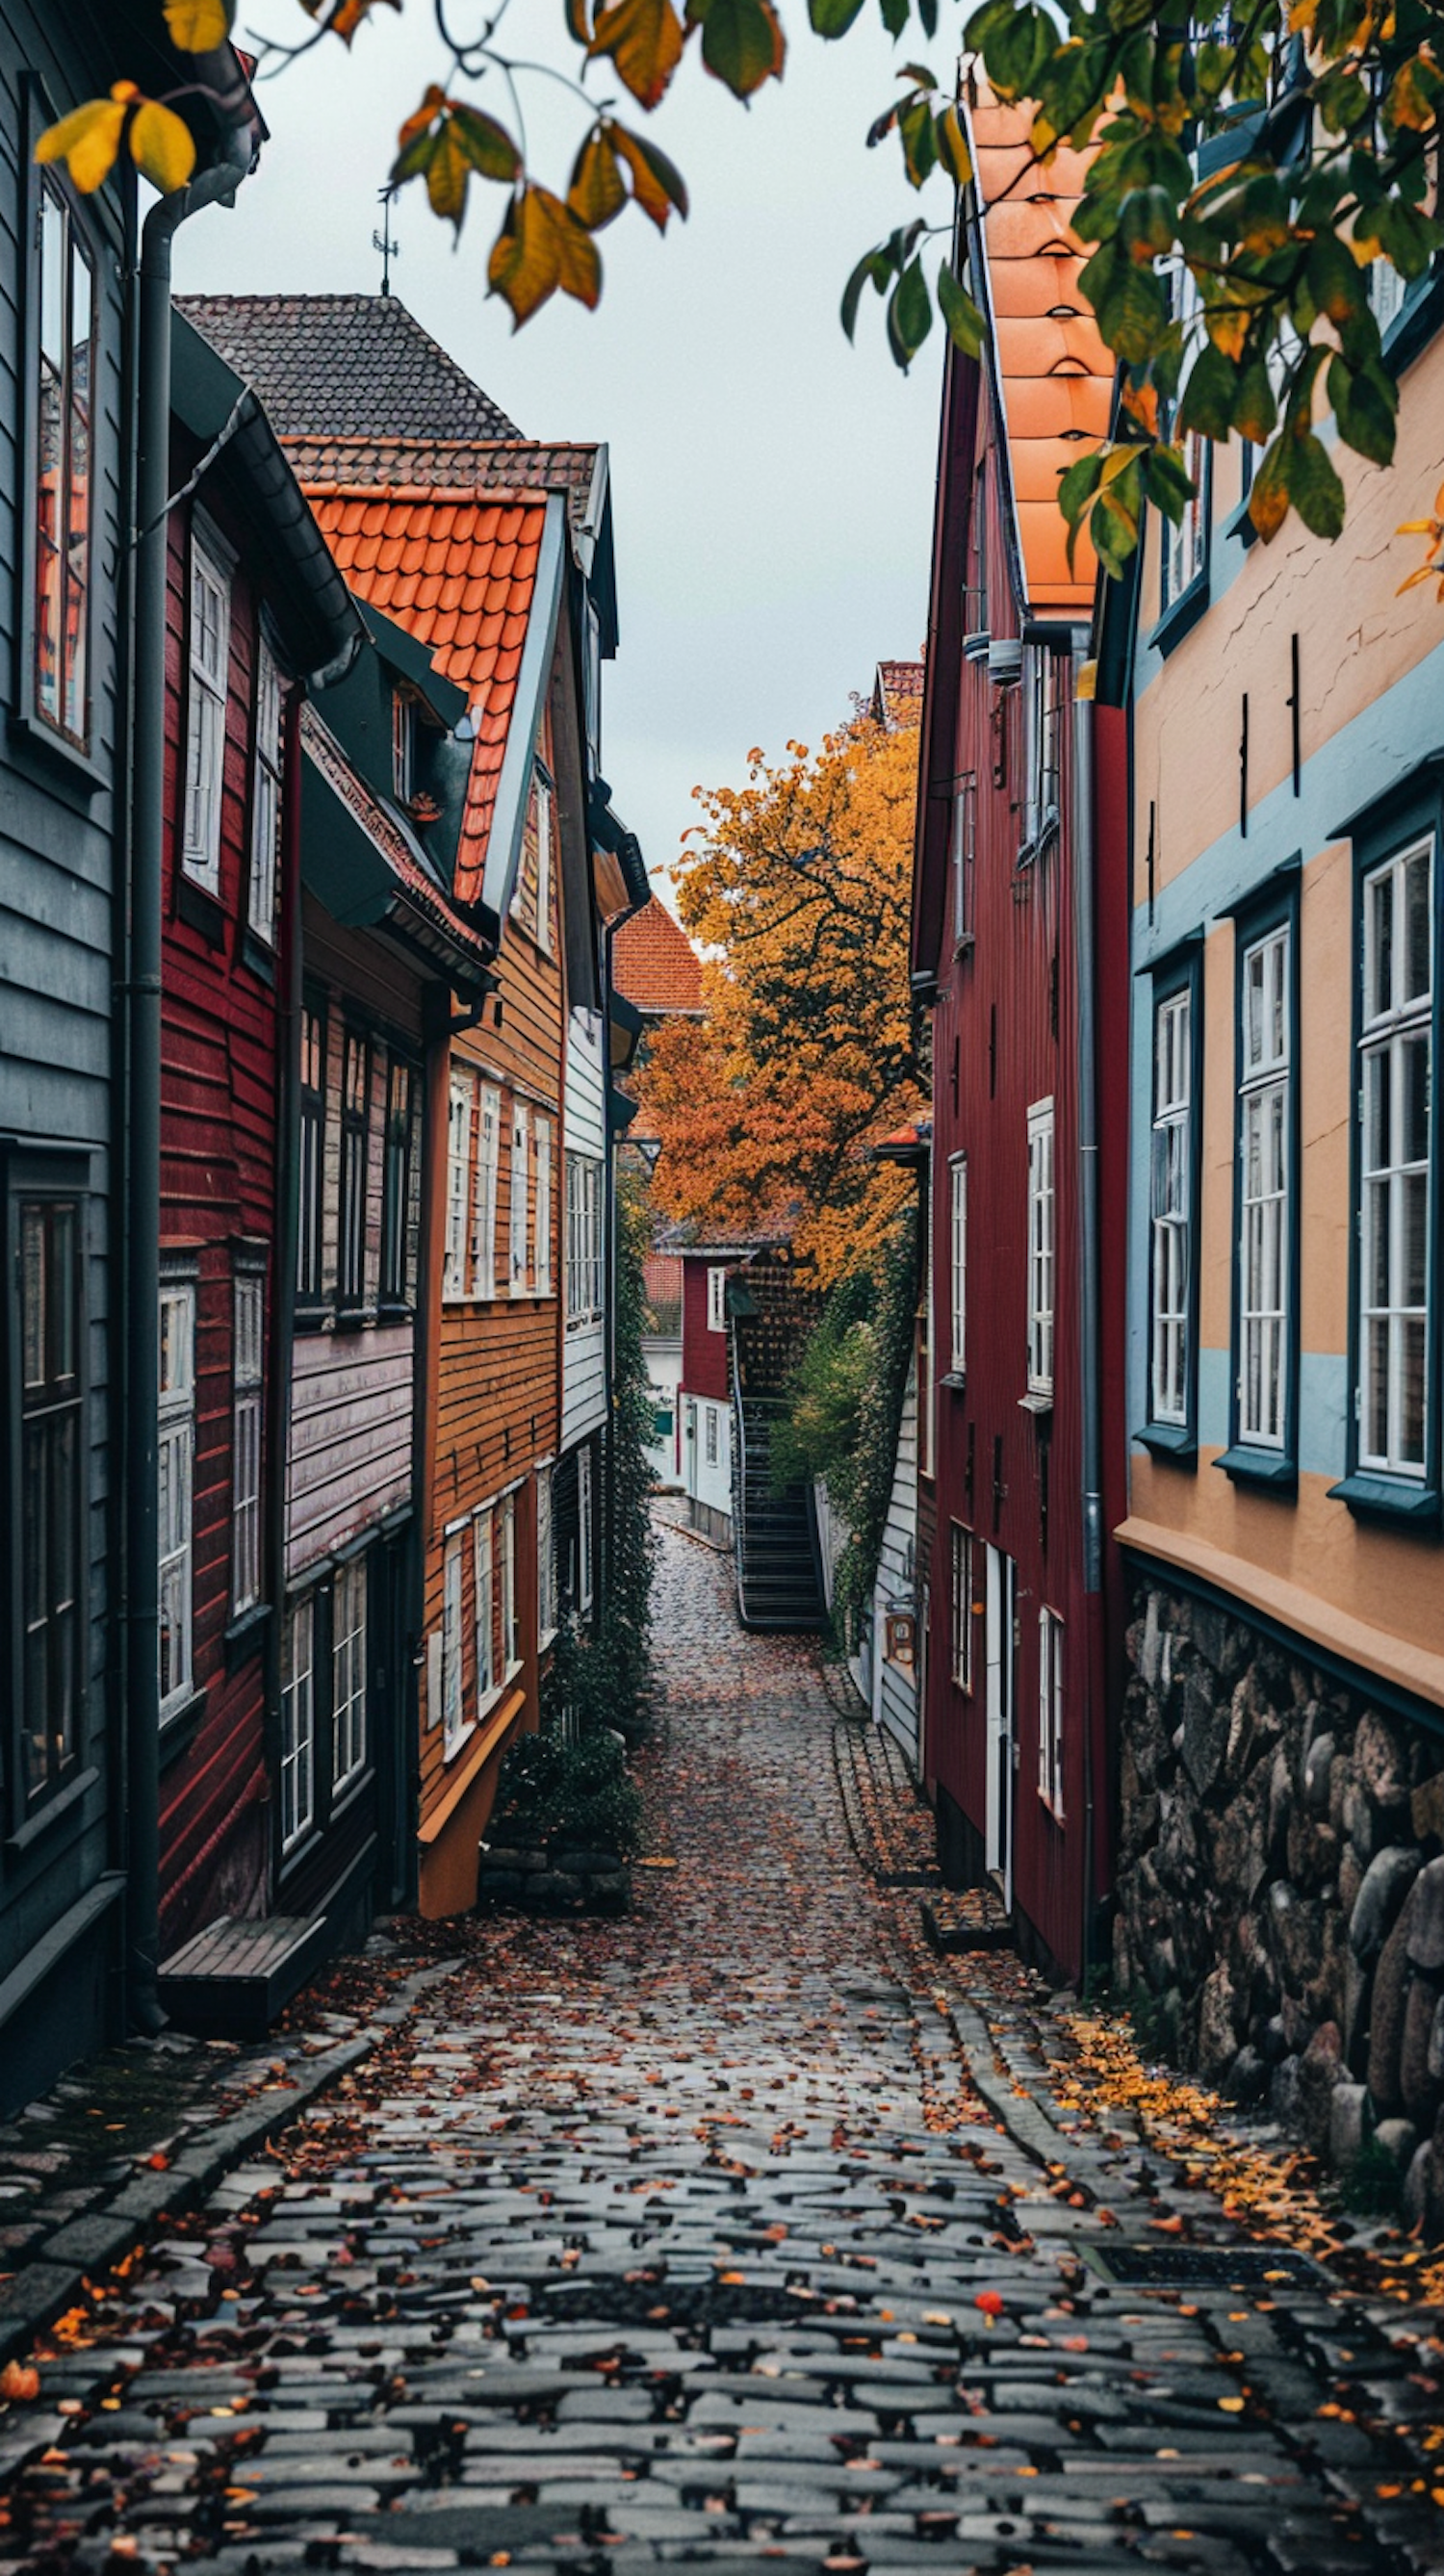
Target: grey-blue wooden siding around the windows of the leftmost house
pixel 58 972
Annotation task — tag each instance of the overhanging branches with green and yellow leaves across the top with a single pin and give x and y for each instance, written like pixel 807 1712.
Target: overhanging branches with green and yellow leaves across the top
pixel 1247 174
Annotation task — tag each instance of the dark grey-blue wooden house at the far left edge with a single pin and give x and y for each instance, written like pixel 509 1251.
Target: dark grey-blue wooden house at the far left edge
pixel 76 1951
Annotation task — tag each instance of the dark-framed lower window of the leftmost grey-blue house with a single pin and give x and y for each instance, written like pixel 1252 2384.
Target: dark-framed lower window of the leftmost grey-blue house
pixel 50 1537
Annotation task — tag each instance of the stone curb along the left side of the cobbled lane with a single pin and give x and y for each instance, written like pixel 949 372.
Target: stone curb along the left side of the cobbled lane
pixel 84 2248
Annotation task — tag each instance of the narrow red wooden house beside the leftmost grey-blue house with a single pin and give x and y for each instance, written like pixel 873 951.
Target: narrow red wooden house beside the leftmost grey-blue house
pixel 256 612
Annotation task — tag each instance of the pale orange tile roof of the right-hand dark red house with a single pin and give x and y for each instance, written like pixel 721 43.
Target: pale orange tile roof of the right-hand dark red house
pixel 1051 365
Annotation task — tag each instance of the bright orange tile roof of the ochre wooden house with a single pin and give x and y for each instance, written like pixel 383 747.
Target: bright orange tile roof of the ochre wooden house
pixel 459 573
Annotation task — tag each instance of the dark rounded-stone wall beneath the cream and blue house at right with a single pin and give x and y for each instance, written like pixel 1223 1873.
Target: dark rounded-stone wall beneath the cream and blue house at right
pixel 1281 1918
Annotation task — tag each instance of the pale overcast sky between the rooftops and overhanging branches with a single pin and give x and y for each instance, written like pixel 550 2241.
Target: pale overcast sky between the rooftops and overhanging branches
pixel 771 486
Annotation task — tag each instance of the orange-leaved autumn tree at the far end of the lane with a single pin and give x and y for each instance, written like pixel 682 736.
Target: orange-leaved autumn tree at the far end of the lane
pixel 799 890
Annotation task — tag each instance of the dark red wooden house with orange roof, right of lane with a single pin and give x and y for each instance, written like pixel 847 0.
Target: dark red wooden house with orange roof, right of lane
pixel 1015 900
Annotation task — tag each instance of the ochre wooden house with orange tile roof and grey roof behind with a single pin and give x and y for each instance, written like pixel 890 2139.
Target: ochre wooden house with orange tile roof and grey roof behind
pixel 498 558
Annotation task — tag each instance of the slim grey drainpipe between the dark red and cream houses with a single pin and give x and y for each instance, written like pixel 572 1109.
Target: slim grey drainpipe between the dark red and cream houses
pixel 1085 944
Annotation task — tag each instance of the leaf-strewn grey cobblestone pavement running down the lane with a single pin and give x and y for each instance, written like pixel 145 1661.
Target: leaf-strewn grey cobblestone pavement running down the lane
pixel 689 2240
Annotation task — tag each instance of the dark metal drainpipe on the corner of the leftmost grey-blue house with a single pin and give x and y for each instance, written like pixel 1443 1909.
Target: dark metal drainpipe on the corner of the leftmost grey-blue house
pixel 143 1094
